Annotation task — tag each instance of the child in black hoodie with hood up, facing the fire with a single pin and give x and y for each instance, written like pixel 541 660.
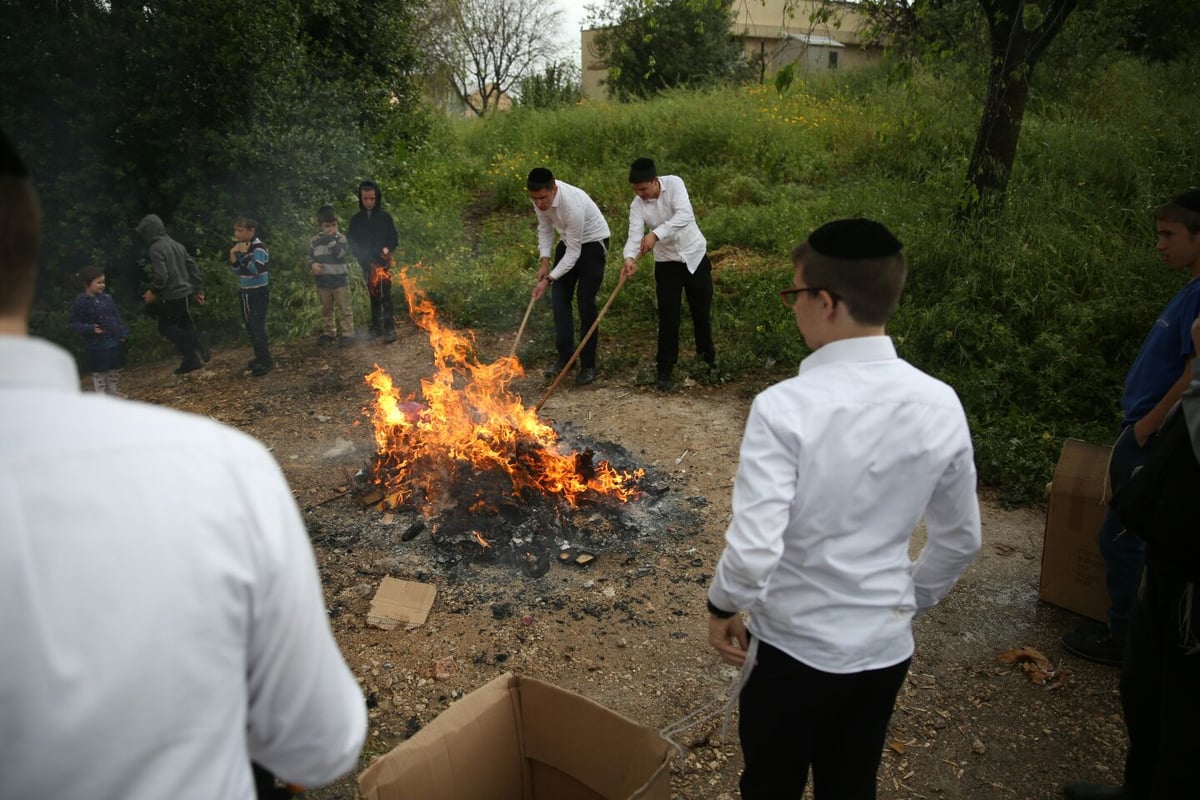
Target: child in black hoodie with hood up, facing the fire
pixel 374 239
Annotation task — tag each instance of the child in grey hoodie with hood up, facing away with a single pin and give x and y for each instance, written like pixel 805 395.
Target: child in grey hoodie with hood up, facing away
pixel 176 281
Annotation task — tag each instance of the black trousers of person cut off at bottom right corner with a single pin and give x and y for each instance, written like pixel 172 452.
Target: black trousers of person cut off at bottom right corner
pixel 1161 690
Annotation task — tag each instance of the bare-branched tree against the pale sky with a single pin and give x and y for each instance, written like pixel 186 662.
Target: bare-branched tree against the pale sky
pixel 487 47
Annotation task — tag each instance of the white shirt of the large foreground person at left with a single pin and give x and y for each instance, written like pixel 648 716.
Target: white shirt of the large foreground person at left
pixel 161 615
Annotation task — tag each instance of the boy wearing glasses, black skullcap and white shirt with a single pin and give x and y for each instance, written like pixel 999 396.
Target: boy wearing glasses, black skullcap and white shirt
pixel 838 467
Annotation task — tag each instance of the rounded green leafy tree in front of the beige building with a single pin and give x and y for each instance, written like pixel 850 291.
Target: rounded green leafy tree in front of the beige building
pixel 656 45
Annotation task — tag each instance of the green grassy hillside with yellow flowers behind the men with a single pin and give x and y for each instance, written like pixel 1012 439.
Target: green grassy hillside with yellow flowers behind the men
pixel 1034 316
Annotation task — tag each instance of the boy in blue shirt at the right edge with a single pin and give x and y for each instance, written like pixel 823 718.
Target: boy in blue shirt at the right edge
pixel 1154 386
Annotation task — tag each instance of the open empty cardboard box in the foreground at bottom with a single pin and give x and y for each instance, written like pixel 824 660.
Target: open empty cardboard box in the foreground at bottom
pixel 523 739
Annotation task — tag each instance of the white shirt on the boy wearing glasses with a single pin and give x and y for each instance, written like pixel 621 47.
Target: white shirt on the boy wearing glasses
pixel 837 468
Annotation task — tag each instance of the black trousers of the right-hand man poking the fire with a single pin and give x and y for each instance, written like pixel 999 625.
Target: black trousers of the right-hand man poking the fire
pixel 673 282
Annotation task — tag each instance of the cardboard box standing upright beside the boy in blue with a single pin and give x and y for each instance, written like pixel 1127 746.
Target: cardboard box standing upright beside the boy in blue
pixel 1072 567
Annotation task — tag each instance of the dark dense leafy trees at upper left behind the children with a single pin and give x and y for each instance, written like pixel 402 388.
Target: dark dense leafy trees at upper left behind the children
pixel 197 111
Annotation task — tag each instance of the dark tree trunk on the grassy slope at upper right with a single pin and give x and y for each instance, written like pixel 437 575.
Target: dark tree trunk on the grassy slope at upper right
pixel 1018 41
